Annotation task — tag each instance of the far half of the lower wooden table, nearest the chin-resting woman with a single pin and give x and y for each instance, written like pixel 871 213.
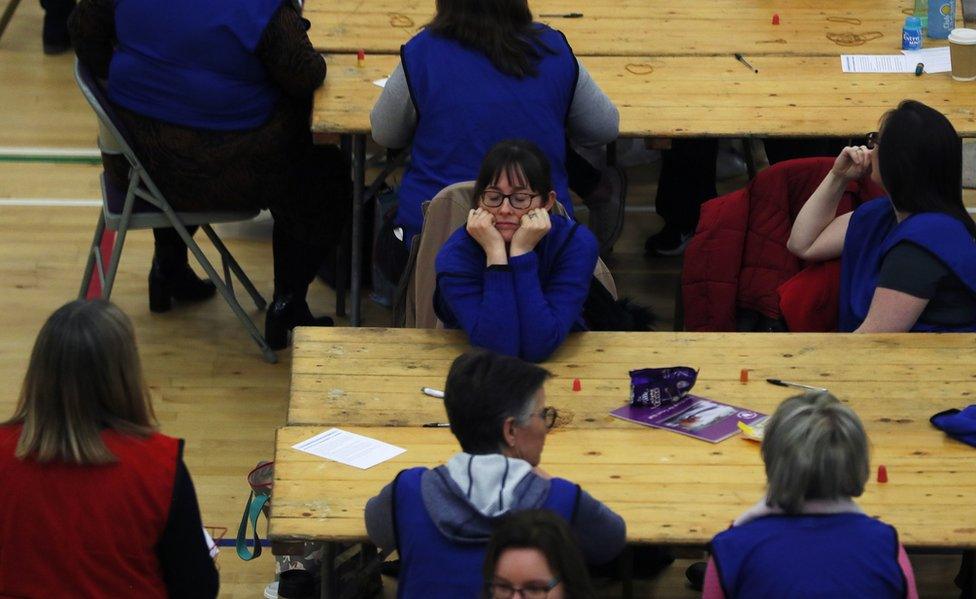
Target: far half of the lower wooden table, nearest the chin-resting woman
pixel 372 376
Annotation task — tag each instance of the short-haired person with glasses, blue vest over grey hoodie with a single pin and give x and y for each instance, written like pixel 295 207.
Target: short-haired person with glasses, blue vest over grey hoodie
pixel 440 520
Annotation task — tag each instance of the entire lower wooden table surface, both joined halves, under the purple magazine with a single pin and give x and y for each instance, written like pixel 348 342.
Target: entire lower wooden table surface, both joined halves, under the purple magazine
pixel 669 488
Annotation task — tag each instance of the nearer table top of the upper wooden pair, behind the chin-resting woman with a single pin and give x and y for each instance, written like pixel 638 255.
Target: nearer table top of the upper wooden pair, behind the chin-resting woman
pixel 712 96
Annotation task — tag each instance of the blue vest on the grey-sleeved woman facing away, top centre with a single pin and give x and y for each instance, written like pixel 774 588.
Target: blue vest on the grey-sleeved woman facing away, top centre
pixel 465 106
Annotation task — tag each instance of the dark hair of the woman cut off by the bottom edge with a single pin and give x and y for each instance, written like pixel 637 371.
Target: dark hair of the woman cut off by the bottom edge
pixel 549 533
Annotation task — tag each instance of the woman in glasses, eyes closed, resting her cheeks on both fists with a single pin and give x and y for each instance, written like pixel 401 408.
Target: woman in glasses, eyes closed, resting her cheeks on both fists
pixel 516 277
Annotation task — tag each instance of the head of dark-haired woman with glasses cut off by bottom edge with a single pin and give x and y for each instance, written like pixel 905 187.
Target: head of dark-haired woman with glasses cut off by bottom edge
pixel 534 553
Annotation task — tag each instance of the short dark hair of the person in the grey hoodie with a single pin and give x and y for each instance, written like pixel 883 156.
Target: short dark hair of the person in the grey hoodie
pixel 483 390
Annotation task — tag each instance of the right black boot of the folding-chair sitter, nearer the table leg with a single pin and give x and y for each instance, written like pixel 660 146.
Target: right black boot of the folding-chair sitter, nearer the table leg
pixel 295 264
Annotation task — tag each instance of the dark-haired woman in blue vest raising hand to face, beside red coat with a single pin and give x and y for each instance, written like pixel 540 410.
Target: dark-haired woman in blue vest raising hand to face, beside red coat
pixel 908 261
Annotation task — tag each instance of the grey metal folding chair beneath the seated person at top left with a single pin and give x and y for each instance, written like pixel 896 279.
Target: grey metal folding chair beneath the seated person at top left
pixel 142 206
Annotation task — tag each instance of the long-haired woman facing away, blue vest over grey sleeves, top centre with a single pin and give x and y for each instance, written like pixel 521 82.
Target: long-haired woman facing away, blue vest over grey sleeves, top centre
pixel 480 72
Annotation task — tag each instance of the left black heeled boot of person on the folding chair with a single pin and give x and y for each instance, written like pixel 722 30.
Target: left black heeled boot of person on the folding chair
pixel 171 276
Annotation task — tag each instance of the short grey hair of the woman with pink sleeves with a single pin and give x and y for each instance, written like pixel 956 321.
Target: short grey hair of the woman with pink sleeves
pixel 814 447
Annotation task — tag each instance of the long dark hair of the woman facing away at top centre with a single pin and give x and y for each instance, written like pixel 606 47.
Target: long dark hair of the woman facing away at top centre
pixel 500 29
